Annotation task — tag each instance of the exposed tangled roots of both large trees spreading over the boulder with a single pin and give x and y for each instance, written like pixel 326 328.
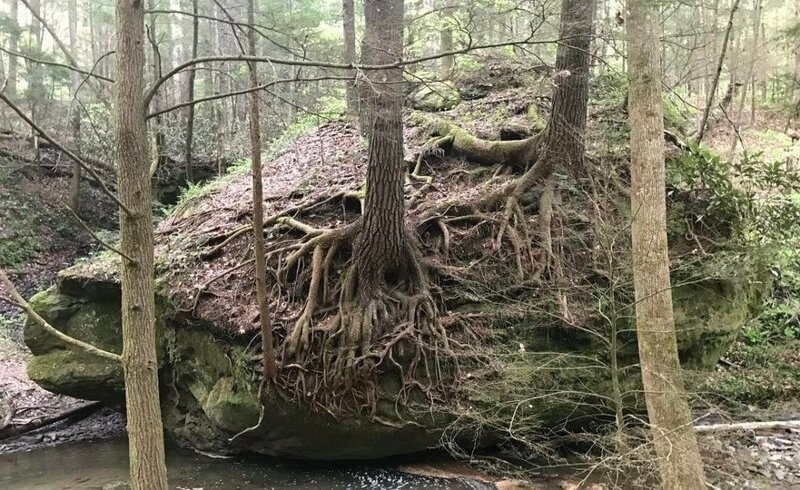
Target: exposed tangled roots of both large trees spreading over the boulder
pixel 347 323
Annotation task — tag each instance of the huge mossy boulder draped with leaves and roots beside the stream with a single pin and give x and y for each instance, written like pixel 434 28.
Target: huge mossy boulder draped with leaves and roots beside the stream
pixel 498 350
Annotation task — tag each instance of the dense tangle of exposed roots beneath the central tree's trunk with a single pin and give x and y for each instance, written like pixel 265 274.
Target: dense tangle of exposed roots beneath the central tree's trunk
pixel 372 327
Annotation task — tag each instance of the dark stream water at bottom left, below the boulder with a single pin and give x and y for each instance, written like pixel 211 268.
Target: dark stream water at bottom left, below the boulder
pixel 95 465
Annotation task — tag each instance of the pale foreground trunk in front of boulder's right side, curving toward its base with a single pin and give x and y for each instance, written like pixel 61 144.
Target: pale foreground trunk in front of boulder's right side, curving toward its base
pixel 670 419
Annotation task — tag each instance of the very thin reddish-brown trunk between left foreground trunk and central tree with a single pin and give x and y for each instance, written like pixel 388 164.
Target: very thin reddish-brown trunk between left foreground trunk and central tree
pixel 269 366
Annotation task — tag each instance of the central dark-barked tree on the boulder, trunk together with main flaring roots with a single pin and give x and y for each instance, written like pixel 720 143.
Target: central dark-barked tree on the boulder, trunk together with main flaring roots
pixel 385 283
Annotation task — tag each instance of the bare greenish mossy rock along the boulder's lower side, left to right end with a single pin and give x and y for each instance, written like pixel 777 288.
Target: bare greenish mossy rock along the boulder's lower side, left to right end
pixel 208 396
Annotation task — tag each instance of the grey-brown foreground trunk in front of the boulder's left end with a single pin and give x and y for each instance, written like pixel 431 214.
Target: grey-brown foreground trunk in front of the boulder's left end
pixel 145 431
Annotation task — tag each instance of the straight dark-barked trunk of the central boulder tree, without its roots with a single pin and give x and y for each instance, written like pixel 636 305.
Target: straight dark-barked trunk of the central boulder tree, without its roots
pixel 380 252
